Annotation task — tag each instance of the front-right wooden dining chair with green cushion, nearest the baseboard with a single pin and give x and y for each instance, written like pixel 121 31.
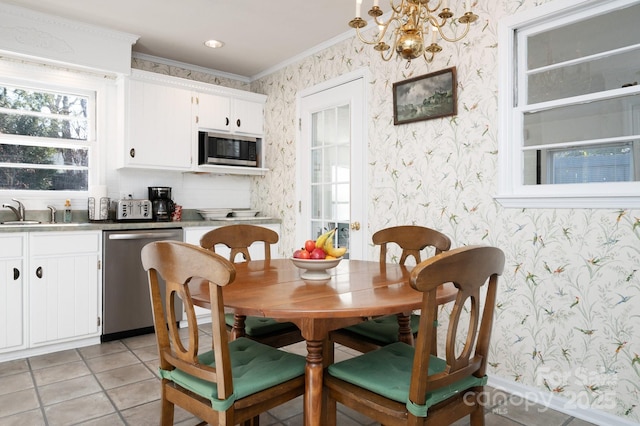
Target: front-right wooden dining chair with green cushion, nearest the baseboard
pixel 400 384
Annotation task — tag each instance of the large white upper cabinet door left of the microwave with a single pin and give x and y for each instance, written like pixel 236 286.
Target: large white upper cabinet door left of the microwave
pixel 158 131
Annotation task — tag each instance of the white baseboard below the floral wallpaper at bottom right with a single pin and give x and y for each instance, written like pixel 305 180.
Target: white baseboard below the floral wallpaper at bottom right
pixel 558 403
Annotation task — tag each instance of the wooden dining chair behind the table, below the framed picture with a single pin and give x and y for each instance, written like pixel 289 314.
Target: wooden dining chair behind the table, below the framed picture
pixel 377 332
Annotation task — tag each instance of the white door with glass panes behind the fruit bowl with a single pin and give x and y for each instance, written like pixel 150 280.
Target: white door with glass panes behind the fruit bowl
pixel 332 159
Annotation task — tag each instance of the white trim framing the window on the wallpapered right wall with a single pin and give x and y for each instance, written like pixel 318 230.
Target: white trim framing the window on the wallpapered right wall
pixel 511 192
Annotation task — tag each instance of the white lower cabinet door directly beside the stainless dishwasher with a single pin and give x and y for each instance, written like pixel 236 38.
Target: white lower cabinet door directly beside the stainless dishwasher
pixel 64 290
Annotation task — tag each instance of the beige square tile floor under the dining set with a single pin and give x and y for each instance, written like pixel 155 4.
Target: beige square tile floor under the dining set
pixel 115 383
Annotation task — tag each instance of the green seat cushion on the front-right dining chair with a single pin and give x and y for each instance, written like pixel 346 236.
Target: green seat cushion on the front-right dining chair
pixel 387 372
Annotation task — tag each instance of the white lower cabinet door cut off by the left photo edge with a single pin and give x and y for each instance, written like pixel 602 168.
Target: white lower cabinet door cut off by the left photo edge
pixel 12 291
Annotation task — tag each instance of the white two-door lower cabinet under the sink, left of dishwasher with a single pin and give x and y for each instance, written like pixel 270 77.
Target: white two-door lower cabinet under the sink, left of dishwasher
pixel 58 302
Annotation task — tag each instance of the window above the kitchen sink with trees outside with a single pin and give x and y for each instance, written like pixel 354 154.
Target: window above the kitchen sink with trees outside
pixel 45 139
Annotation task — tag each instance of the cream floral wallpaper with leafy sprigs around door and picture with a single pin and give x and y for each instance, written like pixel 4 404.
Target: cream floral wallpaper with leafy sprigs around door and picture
pixel 568 318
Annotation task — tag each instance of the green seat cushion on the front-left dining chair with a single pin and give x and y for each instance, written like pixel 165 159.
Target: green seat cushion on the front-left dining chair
pixel 255 367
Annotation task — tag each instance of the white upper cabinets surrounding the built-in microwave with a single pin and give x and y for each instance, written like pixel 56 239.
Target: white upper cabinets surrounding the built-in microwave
pixel 163 115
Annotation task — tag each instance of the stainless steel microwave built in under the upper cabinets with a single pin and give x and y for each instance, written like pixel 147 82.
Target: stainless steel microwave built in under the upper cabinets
pixel 230 150
